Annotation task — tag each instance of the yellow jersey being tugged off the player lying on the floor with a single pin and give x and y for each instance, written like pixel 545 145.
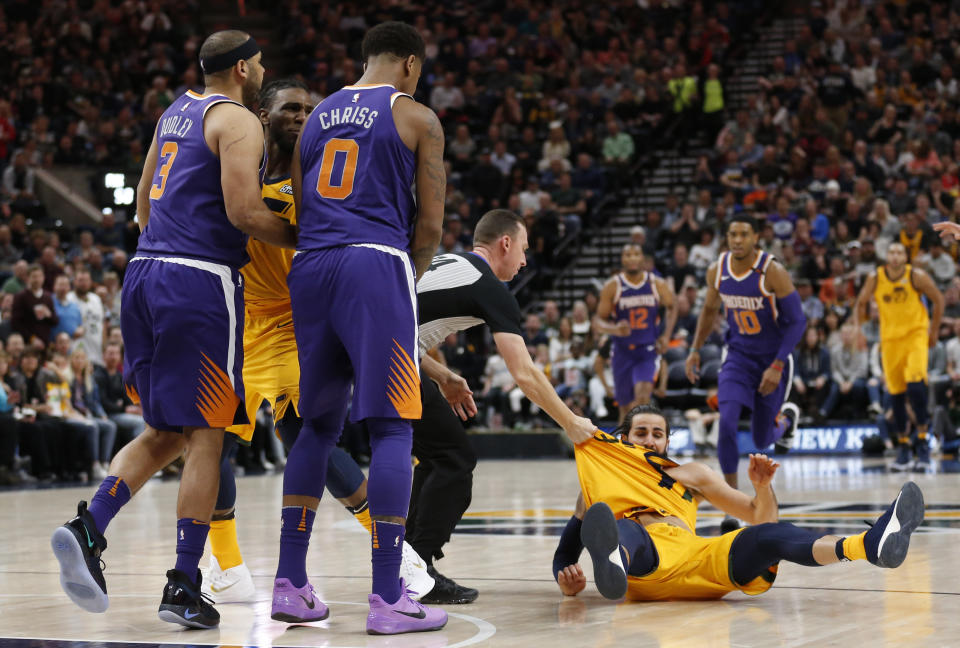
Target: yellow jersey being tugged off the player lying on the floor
pixel 631 480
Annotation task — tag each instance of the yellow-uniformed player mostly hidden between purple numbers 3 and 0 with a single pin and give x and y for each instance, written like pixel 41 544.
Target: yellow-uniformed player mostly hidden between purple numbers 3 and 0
pixel 271 370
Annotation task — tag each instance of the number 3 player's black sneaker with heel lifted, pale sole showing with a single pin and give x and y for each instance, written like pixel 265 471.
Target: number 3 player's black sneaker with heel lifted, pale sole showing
pixel 77 546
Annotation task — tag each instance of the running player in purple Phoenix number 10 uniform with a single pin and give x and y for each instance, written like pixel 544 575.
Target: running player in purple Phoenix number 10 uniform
pixel 765 321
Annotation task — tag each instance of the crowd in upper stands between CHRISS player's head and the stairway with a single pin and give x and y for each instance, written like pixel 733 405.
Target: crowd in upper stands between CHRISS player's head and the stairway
pixel 545 105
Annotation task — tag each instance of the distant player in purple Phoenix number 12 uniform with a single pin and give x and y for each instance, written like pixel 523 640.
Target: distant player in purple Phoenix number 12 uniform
pixel 634 297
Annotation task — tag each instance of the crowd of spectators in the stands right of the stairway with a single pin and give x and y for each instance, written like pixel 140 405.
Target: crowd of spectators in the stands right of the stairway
pixel 847 144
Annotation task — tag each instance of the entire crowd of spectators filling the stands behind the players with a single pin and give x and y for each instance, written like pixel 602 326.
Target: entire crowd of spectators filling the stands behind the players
pixel 846 144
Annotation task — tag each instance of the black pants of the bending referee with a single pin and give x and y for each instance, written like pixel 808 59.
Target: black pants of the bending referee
pixel 443 478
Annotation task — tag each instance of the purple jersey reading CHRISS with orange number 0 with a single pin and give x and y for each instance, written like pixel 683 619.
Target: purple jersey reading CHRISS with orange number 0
pixel 357 172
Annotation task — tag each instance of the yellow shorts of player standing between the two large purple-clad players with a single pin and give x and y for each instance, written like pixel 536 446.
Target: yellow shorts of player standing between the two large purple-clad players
pixel 271 370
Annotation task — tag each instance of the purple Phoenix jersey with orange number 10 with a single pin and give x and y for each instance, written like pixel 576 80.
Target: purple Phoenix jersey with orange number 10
pixel 751 309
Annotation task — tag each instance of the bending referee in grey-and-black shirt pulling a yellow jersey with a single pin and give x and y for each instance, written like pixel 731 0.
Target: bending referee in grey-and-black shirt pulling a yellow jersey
pixel 458 292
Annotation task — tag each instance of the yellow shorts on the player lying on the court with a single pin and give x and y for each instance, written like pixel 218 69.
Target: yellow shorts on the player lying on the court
pixel 691 568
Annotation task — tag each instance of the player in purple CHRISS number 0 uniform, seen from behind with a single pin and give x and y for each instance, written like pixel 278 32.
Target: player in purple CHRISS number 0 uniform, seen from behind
pixel 355 310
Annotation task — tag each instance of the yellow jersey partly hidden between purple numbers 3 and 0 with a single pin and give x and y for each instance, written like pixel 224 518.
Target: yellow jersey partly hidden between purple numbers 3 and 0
pixel 265 292
